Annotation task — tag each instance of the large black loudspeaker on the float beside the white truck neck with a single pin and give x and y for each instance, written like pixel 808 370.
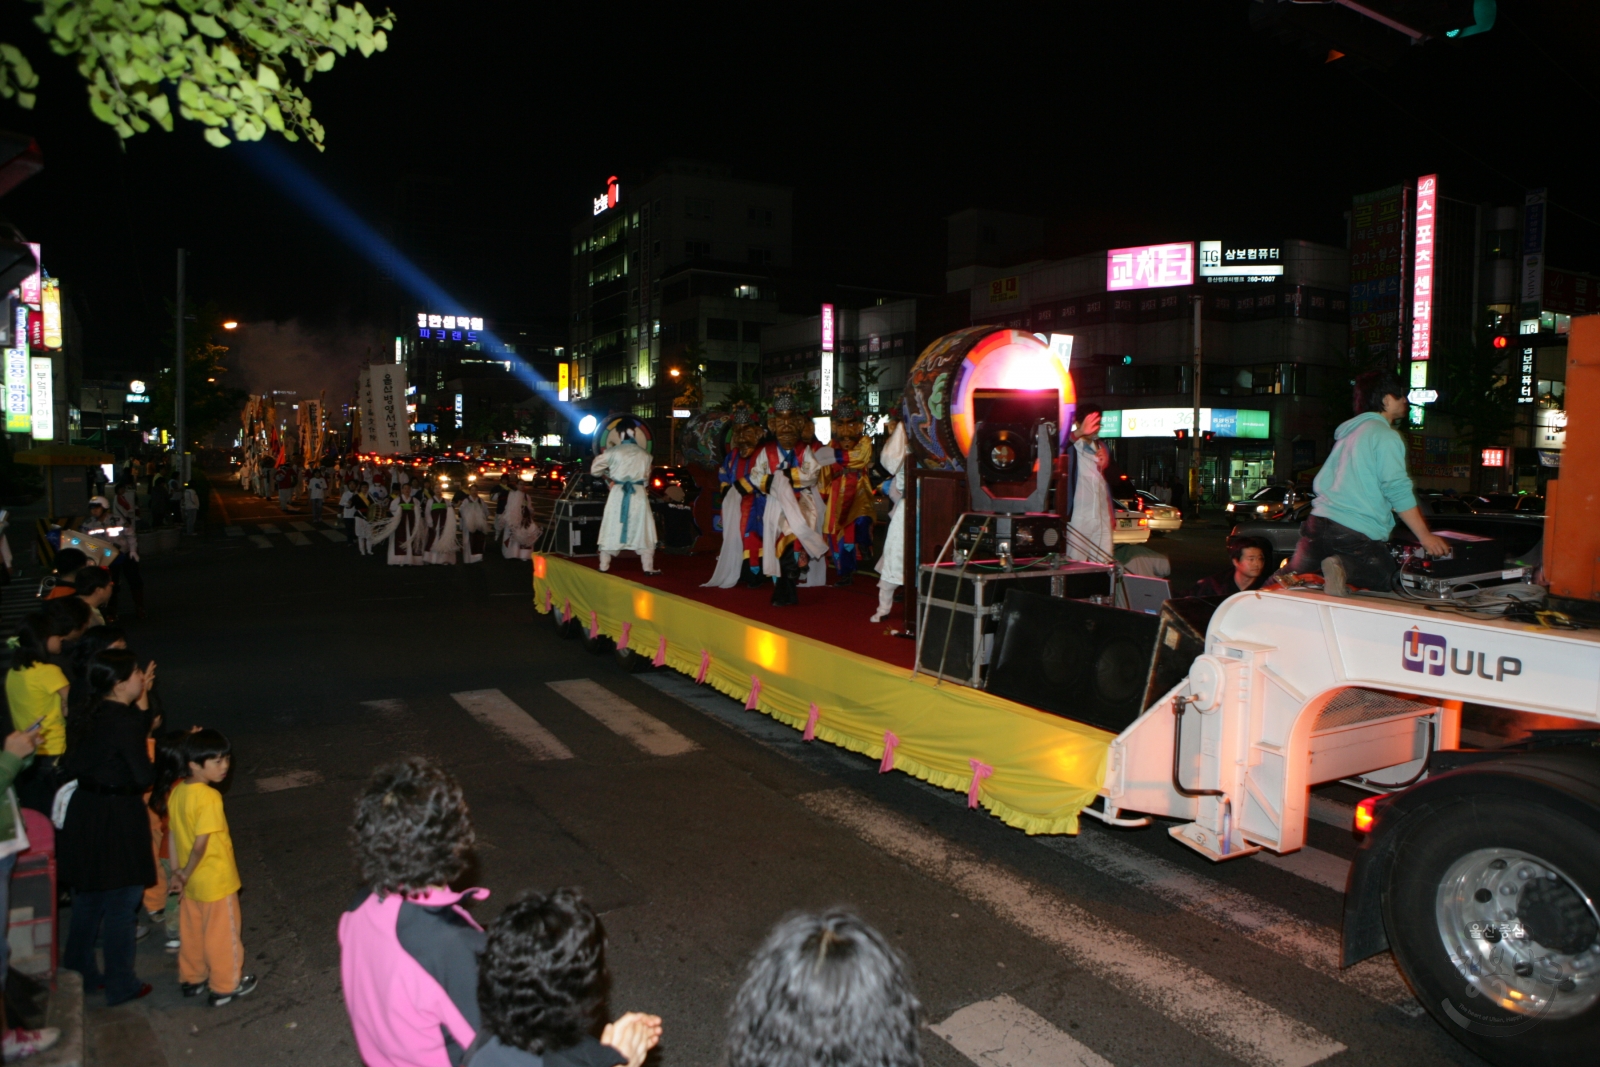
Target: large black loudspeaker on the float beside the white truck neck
pixel 1089 661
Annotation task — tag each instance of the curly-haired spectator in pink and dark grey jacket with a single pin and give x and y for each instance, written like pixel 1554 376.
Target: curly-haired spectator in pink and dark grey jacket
pixel 407 948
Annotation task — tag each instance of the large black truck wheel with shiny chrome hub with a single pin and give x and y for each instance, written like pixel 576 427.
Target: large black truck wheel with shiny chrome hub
pixel 1492 914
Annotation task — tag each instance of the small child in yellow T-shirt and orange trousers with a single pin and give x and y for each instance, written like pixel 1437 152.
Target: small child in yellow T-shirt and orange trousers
pixel 210 954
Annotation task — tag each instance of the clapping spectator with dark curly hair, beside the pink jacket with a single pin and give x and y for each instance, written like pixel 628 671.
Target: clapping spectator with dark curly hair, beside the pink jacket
pixel 542 991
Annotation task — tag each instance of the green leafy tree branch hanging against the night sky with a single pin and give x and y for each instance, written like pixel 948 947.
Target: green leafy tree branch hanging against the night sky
pixel 225 62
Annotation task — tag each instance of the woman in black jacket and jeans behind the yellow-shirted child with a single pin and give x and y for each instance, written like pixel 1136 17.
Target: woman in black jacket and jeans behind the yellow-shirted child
pixel 105 849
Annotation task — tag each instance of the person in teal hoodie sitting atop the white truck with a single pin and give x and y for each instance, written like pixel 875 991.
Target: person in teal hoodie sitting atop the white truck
pixel 1361 490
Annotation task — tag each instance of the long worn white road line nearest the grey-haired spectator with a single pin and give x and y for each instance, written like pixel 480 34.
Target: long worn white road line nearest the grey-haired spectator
pixel 1234 1021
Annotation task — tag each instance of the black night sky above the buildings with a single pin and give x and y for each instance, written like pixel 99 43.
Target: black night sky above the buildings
pixel 478 140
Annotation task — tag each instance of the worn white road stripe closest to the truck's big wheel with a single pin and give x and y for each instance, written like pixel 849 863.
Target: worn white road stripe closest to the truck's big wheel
pixel 1247 916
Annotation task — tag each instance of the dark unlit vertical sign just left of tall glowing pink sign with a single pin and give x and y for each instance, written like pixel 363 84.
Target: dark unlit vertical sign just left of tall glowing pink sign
pixel 1377 258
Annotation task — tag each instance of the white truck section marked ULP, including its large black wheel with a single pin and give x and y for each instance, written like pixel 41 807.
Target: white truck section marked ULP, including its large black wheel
pixel 1481 869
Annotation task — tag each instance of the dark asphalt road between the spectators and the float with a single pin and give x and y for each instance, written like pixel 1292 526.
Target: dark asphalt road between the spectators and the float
pixel 1111 948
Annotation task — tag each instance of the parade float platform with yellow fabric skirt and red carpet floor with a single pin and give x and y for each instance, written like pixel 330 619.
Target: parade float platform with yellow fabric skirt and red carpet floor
pixel 825 669
